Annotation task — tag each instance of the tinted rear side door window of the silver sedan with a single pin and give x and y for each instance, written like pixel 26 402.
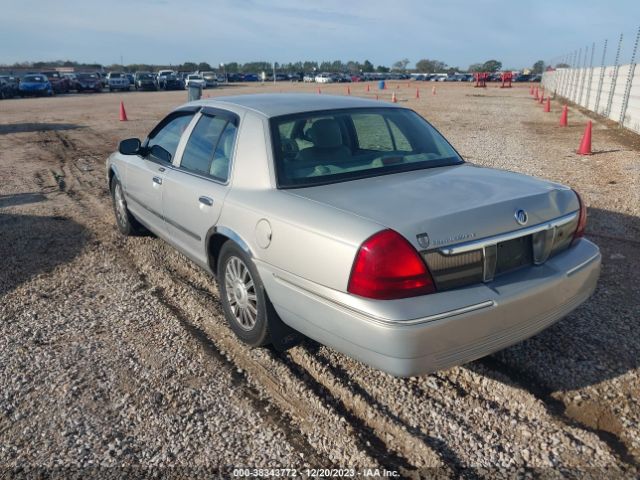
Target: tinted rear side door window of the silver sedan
pixel 208 150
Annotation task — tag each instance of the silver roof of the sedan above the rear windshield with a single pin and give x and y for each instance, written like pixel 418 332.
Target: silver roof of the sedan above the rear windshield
pixel 278 104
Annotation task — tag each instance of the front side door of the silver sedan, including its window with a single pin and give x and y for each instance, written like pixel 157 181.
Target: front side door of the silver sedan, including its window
pixel 146 174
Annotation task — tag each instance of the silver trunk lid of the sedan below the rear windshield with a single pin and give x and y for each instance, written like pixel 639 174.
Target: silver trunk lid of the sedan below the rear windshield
pixel 450 204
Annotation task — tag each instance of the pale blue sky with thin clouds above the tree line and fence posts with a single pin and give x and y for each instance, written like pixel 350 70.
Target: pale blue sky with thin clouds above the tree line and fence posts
pixel 459 33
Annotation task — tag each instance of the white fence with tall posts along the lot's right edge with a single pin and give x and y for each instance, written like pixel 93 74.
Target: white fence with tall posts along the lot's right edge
pixel 612 91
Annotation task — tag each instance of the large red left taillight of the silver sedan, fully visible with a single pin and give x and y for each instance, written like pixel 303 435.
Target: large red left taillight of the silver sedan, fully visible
pixel 387 267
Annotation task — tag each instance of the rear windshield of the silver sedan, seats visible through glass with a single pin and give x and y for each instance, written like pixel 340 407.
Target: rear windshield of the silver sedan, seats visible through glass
pixel 318 148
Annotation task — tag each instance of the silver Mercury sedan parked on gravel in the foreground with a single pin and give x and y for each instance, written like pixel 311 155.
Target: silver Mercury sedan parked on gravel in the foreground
pixel 355 223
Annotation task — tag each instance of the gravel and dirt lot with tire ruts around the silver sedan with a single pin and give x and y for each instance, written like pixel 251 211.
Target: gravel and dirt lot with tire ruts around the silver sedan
pixel 114 352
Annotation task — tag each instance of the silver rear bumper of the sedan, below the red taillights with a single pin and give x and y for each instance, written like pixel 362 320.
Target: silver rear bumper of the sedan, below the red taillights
pixel 424 334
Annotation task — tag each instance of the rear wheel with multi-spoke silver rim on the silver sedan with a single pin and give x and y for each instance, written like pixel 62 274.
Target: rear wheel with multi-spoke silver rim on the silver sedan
pixel 258 334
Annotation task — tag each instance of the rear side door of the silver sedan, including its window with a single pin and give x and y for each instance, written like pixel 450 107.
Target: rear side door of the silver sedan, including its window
pixel 196 188
